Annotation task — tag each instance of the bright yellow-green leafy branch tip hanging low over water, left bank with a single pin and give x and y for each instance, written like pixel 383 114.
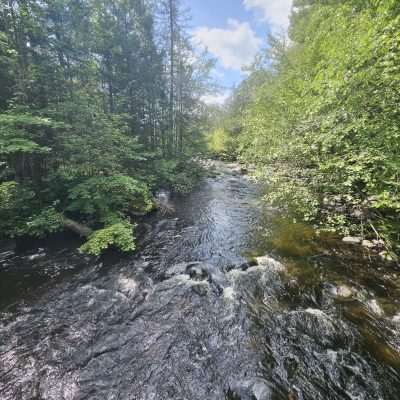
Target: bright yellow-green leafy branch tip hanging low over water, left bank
pixel 118 235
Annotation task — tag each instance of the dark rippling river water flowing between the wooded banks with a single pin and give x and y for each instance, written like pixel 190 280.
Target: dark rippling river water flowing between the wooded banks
pixel 189 317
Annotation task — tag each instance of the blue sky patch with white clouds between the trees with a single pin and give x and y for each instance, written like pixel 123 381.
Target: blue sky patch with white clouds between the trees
pixel 234 31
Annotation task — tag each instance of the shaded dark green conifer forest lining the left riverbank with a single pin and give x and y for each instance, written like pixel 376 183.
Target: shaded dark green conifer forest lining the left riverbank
pixel 99 105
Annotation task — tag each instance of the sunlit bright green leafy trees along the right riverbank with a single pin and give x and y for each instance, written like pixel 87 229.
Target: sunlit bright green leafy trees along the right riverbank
pixel 319 115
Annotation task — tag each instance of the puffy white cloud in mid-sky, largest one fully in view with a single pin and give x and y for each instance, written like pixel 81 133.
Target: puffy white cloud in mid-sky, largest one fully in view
pixel 234 46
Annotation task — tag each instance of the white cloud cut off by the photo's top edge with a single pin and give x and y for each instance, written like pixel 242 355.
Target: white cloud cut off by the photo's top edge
pixel 276 12
